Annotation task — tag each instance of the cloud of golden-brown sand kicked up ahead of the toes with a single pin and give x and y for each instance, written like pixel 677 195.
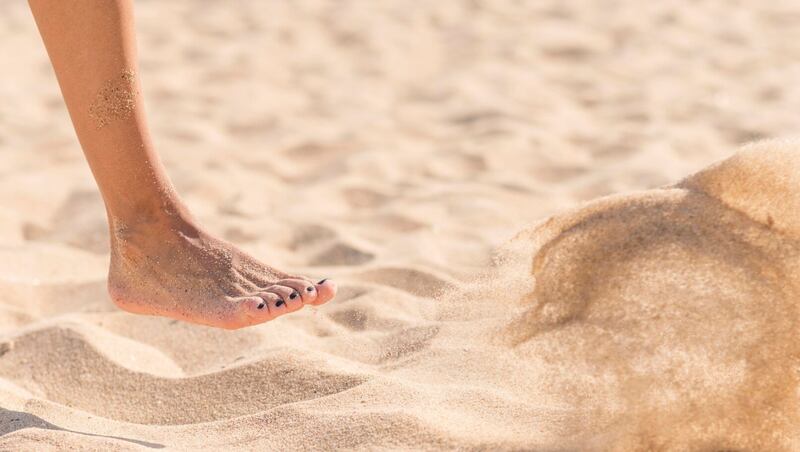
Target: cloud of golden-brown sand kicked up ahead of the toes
pixel 688 294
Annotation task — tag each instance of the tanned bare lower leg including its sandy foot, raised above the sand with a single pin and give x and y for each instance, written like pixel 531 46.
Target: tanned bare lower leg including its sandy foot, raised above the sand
pixel 162 261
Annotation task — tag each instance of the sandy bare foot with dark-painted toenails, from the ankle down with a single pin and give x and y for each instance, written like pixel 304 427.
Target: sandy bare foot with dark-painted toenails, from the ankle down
pixel 172 268
